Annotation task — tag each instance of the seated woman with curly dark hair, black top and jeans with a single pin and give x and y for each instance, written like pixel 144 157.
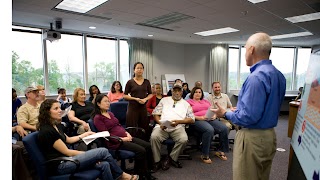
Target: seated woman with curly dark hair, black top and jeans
pixel 52 142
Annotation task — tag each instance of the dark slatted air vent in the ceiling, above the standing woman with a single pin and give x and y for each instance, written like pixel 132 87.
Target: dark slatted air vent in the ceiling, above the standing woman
pixel 157 22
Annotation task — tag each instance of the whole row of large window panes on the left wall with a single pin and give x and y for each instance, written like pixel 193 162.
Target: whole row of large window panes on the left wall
pixel 65 61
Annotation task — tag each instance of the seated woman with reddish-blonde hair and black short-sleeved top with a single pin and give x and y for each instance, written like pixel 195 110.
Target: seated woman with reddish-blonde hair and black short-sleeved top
pixel 81 110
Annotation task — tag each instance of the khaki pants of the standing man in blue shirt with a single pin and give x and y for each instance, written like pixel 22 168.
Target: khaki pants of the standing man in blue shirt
pixel 253 153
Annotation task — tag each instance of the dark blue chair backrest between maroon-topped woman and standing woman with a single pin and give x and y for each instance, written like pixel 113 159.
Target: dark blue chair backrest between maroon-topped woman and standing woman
pixel 119 109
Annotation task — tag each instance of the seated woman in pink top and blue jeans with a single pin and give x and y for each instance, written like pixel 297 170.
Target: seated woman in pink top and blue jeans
pixel 208 125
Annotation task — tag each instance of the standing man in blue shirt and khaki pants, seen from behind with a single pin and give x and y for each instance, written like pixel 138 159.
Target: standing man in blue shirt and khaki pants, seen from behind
pixel 257 112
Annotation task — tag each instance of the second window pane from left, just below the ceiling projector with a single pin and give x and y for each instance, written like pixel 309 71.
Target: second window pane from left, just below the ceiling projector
pixel 65 63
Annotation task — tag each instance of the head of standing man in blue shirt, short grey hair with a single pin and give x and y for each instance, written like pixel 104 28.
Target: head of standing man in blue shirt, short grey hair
pixel 258 47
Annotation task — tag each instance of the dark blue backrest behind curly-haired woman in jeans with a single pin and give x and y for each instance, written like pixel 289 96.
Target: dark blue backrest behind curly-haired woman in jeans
pixel 31 144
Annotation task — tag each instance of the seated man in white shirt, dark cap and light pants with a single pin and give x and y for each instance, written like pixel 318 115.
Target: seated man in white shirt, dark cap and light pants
pixel 171 115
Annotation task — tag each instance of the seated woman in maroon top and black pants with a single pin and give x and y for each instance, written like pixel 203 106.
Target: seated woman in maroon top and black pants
pixel 106 121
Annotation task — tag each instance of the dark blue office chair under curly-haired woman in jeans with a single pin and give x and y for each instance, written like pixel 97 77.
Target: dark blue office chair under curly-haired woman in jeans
pixel 31 144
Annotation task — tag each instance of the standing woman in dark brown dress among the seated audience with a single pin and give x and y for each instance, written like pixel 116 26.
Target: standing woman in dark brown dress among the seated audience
pixel 140 92
